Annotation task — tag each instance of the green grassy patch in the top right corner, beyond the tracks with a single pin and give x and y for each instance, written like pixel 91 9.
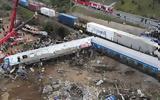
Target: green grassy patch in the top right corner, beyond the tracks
pixel 148 8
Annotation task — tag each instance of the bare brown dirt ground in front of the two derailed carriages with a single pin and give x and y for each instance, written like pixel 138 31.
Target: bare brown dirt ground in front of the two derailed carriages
pixel 85 75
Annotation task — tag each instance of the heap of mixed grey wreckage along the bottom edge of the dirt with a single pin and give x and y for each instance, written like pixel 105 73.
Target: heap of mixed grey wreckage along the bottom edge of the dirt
pixel 59 90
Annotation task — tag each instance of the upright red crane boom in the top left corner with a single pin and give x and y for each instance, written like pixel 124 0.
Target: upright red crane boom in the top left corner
pixel 13 16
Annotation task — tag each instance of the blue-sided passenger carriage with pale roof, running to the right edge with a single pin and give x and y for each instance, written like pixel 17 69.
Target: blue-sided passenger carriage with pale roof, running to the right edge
pixel 141 61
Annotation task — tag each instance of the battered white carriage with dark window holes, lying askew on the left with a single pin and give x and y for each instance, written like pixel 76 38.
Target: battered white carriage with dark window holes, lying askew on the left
pixel 45 53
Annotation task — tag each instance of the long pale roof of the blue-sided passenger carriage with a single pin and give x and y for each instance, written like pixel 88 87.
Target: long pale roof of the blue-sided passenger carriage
pixel 153 61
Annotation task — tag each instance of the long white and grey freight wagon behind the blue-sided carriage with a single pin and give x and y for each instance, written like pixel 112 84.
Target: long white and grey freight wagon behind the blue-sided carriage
pixel 123 38
